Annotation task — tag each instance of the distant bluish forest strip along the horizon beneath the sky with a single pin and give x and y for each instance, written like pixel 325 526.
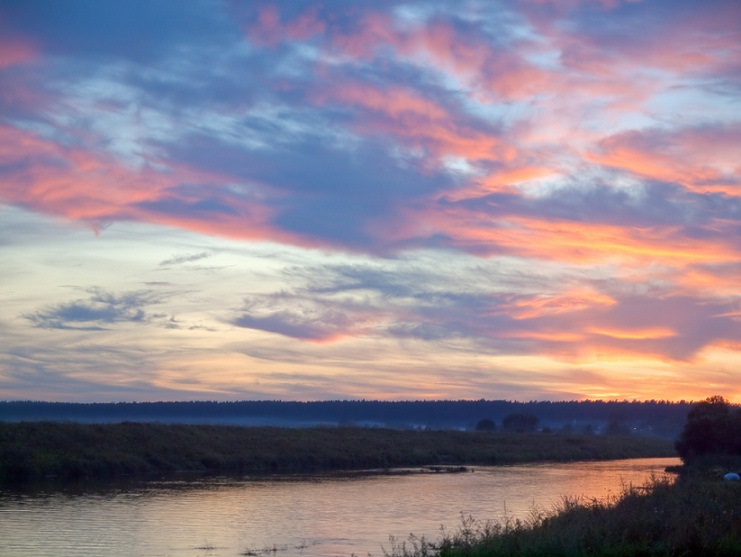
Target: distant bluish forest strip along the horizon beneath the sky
pixel 659 418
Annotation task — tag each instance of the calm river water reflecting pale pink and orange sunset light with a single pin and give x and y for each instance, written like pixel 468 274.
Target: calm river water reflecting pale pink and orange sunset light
pixel 318 516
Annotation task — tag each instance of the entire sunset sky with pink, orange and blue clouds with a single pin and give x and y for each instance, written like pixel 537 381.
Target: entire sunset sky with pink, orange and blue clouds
pixel 395 200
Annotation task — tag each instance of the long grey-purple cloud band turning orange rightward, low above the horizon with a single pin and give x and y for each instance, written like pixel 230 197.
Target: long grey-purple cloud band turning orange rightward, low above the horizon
pixel 435 306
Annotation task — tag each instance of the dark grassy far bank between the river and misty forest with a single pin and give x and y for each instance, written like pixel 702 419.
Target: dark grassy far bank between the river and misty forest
pixel 31 450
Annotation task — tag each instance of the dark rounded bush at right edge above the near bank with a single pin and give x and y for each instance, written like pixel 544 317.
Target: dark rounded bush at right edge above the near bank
pixel 713 427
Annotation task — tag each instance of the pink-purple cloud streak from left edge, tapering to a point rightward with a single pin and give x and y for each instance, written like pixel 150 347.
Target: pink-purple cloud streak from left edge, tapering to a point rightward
pixel 94 188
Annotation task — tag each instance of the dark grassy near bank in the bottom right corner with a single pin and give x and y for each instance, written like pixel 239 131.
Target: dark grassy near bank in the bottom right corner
pixel 694 516
